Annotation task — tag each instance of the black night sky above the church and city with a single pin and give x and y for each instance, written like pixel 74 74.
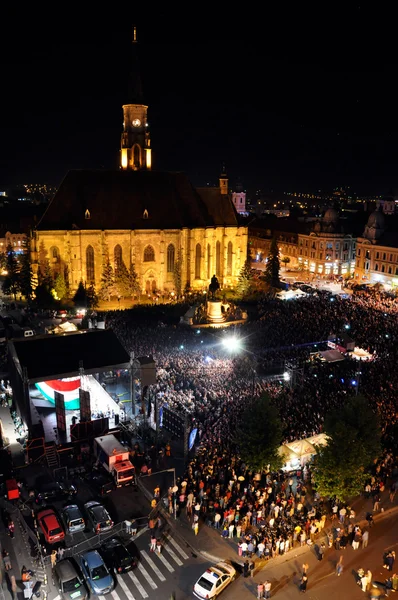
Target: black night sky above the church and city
pixel 284 109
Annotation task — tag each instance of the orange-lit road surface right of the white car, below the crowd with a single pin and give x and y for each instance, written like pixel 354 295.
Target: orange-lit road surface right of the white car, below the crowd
pixel 323 584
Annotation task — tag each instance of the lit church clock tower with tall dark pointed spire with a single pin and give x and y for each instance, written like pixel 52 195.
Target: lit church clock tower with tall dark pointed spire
pixel 135 152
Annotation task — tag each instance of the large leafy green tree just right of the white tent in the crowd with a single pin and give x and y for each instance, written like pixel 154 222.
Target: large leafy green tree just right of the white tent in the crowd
pixel 353 444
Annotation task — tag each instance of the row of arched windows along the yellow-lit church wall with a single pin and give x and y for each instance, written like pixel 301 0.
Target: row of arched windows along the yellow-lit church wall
pixel 149 256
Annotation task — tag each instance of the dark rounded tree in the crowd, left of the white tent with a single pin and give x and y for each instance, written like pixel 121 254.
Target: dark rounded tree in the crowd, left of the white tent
pixel 259 435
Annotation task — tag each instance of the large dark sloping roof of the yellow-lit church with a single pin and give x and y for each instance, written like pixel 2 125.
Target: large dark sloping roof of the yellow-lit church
pixel 134 200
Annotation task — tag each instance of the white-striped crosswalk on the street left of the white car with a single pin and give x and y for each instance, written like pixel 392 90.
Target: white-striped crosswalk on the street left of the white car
pixel 152 570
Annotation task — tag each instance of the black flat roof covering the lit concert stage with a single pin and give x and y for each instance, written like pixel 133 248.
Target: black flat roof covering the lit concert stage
pixel 49 357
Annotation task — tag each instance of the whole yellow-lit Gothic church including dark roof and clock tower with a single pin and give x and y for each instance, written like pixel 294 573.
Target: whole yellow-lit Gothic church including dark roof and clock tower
pixel 157 221
